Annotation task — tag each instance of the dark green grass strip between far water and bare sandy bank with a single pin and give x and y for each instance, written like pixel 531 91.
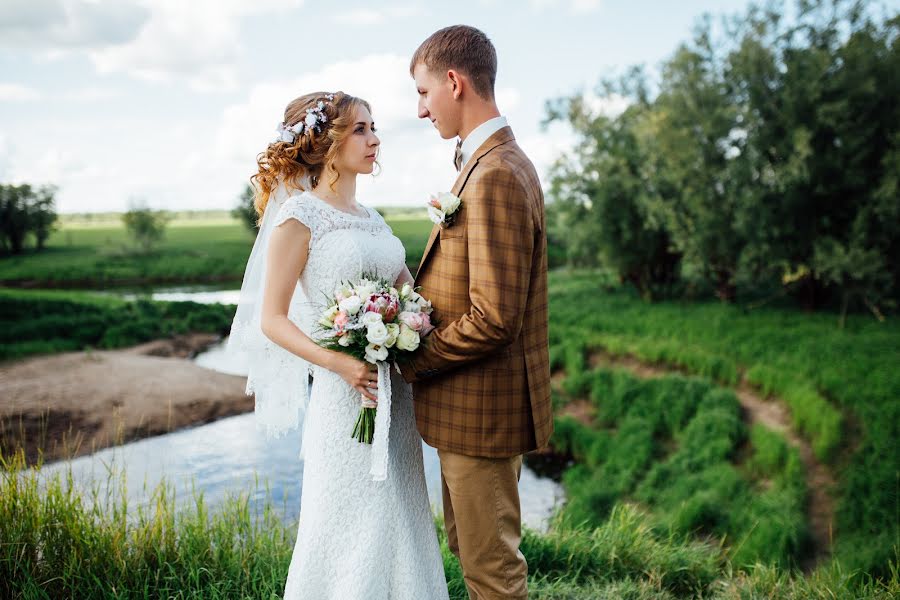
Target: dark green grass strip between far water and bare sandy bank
pixel 46 321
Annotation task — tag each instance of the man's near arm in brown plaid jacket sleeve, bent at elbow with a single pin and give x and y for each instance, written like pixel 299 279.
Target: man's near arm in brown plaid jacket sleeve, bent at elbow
pixel 500 239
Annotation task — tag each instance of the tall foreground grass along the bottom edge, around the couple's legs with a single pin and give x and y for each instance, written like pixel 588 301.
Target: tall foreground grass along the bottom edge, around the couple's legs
pixel 54 543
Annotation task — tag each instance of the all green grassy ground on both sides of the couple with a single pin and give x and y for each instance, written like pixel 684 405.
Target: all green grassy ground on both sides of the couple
pixel 673 494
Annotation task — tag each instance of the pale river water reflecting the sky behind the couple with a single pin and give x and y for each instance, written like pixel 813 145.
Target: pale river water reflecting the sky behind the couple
pixel 229 456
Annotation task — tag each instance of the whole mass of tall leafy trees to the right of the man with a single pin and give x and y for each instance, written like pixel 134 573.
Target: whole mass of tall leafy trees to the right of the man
pixel 764 161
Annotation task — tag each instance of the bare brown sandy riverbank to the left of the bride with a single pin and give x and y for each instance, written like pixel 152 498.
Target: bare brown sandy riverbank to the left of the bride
pixel 73 403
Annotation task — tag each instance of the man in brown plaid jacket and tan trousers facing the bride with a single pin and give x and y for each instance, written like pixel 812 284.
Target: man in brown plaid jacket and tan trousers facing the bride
pixel 482 383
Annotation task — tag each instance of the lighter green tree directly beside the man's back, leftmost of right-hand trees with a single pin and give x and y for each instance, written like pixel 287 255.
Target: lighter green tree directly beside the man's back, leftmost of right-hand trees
pixel 602 195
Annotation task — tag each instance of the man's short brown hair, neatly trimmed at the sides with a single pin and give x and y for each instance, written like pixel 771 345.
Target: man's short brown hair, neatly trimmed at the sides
pixel 464 49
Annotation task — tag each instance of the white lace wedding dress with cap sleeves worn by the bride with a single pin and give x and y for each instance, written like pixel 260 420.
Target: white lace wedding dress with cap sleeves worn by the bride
pixel 358 538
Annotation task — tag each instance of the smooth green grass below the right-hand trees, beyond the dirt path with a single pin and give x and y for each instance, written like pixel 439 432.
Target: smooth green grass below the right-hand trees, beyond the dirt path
pixel 842 385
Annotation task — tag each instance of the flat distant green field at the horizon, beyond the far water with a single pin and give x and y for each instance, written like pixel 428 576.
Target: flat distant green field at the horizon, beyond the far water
pixel 99 253
